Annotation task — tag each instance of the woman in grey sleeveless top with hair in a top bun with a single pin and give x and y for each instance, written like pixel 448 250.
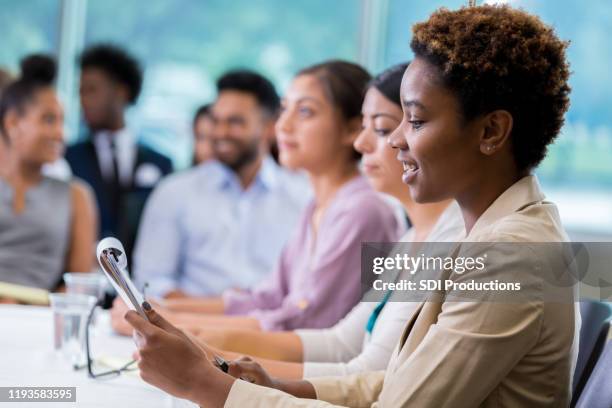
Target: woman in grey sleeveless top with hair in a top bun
pixel 47 226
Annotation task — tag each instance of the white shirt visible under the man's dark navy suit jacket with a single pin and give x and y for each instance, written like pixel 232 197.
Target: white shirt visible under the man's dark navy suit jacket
pixel 125 147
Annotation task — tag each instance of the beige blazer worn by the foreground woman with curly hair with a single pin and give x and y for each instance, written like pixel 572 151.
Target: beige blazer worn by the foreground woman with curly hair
pixel 469 354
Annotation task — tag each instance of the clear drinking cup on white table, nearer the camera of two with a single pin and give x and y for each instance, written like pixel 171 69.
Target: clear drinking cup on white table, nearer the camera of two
pixel 70 312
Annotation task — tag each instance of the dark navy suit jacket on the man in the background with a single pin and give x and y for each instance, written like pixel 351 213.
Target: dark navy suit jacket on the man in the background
pixel 120 221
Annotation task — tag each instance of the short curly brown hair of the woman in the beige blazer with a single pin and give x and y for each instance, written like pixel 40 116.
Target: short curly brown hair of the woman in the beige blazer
pixel 498 57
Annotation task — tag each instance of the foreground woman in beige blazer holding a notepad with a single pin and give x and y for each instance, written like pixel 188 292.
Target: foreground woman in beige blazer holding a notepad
pixel 483 98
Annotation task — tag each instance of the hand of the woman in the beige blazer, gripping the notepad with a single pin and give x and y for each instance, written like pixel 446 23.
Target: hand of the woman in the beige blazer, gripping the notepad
pixel 170 360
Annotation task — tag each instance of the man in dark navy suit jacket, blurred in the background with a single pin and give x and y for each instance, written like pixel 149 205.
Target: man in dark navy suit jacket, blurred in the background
pixel 122 171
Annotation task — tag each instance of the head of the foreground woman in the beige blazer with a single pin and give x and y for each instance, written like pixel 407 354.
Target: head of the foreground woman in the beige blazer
pixel 485 121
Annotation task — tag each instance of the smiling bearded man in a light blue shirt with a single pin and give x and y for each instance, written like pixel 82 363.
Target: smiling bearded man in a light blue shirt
pixel 222 224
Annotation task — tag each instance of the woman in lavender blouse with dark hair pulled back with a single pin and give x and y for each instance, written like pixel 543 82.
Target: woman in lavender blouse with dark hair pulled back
pixel 317 279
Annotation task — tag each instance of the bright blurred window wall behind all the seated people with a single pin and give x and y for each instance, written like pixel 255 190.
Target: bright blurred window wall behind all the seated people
pixel 185 45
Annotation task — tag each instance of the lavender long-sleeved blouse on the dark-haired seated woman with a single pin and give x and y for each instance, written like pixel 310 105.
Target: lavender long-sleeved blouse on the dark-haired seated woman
pixel 317 280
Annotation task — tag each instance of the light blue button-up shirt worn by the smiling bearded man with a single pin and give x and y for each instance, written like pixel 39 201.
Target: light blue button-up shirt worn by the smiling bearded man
pixel 203 233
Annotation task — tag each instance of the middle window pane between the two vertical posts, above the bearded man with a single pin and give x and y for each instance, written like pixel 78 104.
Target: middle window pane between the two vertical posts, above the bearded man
pixel 186 45
